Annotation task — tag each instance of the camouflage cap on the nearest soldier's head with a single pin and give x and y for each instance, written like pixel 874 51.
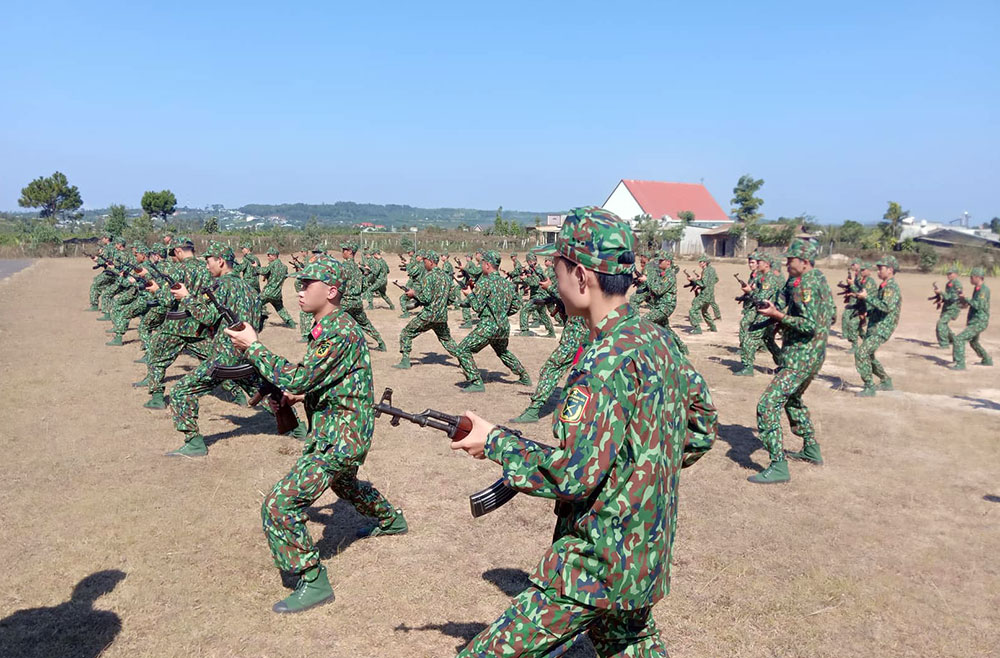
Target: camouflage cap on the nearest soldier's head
pixel 596 239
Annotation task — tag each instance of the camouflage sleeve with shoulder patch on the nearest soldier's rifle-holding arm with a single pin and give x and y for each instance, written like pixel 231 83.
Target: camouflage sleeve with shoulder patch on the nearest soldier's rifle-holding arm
pixel 590 428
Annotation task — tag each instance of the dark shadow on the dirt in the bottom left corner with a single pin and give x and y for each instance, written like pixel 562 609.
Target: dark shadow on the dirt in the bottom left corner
pixel 74 629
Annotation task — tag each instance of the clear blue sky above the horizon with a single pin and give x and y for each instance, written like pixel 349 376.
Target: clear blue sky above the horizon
pixel 839 107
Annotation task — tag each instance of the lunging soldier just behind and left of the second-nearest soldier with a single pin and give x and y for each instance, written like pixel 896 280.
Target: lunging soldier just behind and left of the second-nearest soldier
pixel 235 294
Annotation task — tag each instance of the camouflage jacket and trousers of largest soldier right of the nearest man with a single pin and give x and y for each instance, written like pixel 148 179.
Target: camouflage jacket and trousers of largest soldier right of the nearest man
pixel 805 329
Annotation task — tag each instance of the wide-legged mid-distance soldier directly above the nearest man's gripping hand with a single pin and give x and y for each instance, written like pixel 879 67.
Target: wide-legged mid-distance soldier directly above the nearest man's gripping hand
pixel 492 300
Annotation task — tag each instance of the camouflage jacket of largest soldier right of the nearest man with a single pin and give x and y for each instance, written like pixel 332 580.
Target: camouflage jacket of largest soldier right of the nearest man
pixel 808 306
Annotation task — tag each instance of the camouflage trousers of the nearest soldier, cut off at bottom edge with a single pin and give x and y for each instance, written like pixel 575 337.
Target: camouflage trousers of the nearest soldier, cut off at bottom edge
pixel 543 623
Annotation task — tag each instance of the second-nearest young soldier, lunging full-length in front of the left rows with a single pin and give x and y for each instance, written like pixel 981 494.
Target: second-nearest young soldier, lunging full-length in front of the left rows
pixel 334 380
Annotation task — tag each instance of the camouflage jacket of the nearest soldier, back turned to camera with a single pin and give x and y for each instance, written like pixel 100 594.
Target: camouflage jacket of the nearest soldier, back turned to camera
pixel 634 404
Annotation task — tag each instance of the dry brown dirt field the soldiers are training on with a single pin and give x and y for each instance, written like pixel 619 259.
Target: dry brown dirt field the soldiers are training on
pixel 890 549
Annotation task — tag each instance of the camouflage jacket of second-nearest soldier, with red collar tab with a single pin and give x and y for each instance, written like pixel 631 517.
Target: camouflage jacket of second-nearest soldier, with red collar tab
pixel 336 377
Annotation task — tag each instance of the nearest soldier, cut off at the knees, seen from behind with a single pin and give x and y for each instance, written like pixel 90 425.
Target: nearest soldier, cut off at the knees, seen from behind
pixel 633 399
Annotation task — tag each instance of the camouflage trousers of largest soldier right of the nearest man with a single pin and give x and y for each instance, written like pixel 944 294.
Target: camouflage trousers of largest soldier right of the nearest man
pixel 784 392
